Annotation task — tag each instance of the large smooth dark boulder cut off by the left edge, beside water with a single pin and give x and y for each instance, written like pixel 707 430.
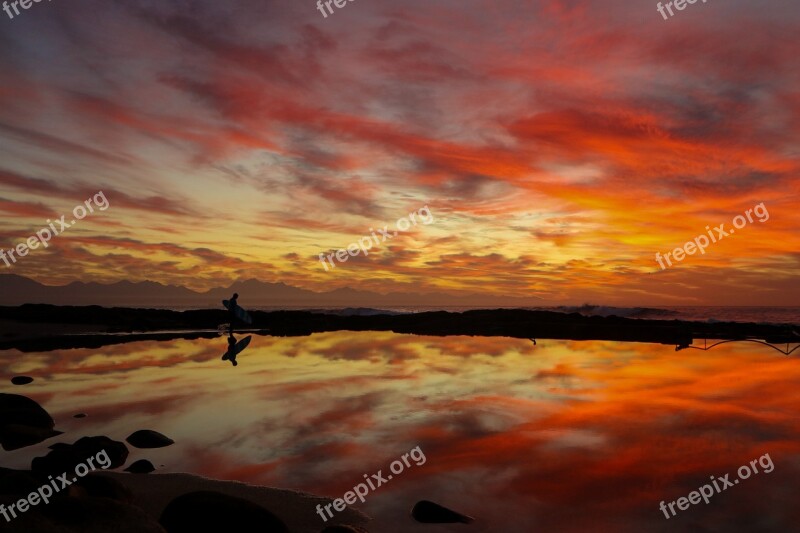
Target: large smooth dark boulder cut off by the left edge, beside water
pixel 23 422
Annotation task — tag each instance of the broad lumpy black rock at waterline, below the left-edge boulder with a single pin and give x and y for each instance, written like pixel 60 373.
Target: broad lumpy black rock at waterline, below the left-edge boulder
pixel 65 457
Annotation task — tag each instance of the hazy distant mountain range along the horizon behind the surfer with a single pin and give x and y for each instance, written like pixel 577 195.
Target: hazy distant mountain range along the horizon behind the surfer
pixel 18 290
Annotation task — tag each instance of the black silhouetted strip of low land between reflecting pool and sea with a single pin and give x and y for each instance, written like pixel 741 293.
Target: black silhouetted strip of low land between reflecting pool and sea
pixel 47 327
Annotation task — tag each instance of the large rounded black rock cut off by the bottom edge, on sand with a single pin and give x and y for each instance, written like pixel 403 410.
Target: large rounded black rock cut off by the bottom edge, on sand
pixel 214 511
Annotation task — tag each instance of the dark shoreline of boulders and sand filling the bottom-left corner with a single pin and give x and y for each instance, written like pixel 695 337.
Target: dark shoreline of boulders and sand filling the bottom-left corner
pixel 44 498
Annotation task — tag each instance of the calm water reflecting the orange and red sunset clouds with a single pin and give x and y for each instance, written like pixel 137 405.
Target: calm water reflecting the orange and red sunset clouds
pixel 562 436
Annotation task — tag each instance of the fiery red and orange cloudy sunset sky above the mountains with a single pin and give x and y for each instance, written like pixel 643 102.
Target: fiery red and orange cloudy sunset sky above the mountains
pixel 558 144
